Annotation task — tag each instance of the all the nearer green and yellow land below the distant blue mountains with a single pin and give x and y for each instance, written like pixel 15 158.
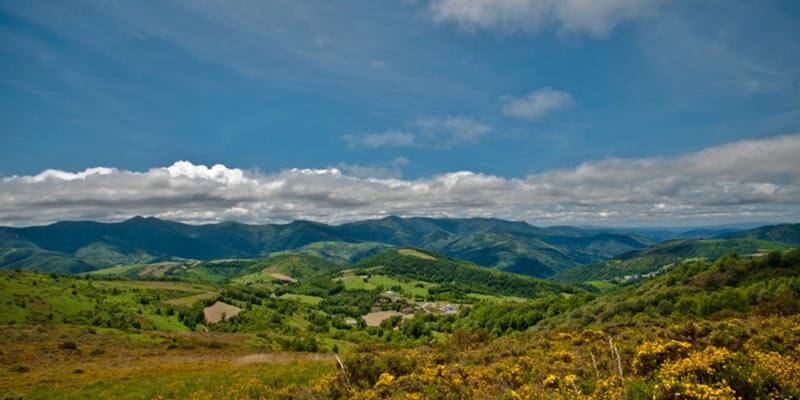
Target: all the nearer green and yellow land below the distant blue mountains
pixel 702 330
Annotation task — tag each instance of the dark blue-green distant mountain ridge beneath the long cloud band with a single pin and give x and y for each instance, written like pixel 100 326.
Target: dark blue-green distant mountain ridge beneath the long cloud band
pixel 71 247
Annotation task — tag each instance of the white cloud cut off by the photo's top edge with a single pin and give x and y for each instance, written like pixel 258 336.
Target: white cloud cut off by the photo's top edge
pixel 596 18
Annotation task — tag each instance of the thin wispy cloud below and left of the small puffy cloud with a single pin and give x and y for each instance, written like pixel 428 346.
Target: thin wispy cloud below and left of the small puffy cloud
pixel 428 132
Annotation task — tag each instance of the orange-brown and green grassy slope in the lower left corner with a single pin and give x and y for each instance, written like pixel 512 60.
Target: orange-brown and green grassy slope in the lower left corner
pixel 118 365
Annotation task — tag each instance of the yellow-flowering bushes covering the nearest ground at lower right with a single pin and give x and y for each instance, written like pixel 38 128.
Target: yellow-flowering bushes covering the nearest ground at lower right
pixel 580 365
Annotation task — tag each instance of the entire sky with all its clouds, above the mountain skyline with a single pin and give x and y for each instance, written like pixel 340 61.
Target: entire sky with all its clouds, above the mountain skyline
pixel 599 112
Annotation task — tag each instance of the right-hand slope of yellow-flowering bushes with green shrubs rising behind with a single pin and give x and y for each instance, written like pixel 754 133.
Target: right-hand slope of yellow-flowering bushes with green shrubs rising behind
pixel 702 331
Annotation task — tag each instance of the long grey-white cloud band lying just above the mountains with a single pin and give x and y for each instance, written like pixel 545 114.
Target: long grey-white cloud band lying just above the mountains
pixel 754 179
